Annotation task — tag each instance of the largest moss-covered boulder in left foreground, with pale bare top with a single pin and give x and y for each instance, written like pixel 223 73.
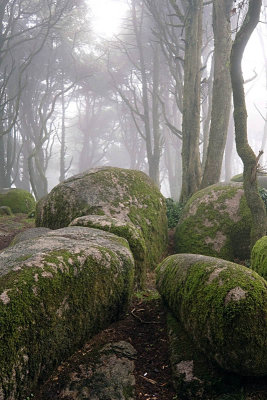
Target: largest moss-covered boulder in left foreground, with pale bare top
pixel 57 291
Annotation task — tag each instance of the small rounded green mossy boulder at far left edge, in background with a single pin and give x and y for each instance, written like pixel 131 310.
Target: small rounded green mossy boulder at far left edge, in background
pixel 18 200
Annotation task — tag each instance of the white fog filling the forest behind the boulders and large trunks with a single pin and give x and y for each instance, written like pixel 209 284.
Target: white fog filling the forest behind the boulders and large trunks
pixel 100 82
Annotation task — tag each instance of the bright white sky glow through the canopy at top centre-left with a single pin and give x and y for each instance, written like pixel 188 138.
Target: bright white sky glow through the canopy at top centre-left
pixel 106 16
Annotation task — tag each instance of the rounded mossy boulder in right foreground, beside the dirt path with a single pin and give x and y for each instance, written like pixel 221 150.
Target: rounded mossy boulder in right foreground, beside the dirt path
pixel 223 307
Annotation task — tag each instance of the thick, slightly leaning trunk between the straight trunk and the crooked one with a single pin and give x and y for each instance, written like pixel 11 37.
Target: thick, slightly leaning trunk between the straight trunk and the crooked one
pixel 221 94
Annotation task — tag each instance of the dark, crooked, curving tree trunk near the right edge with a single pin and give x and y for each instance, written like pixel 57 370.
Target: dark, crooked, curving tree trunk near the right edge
pixel 249 159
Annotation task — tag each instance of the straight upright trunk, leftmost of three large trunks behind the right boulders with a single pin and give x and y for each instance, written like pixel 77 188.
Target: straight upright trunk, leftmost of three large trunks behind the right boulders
pixel 191 100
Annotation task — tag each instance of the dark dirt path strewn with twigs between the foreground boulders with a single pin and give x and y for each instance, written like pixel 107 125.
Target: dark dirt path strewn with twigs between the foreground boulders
pixel 144 327
